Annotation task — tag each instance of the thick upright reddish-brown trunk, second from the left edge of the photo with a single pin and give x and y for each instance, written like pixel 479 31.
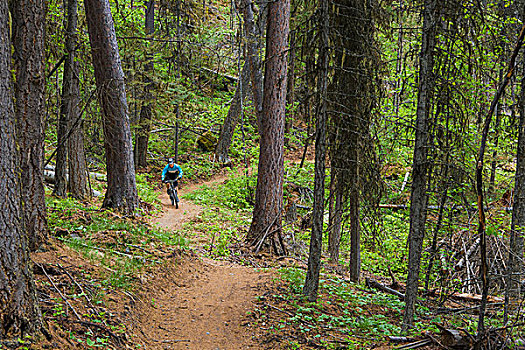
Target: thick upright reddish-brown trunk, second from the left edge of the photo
pixel 28 42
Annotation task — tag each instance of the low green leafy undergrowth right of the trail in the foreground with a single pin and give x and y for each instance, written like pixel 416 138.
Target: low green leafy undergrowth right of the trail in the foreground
pixel 343 310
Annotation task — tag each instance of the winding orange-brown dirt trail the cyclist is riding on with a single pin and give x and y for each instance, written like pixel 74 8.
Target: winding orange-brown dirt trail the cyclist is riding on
pixel 196 302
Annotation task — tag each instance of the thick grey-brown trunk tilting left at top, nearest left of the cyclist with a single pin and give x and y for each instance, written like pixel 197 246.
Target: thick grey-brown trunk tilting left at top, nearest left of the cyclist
pixel 121 193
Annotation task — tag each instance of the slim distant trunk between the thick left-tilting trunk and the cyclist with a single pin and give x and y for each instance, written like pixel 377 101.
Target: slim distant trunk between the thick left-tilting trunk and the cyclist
pixel 141 145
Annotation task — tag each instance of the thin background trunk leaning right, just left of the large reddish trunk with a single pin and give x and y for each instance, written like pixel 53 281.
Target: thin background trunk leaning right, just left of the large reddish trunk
pixel 232 118
